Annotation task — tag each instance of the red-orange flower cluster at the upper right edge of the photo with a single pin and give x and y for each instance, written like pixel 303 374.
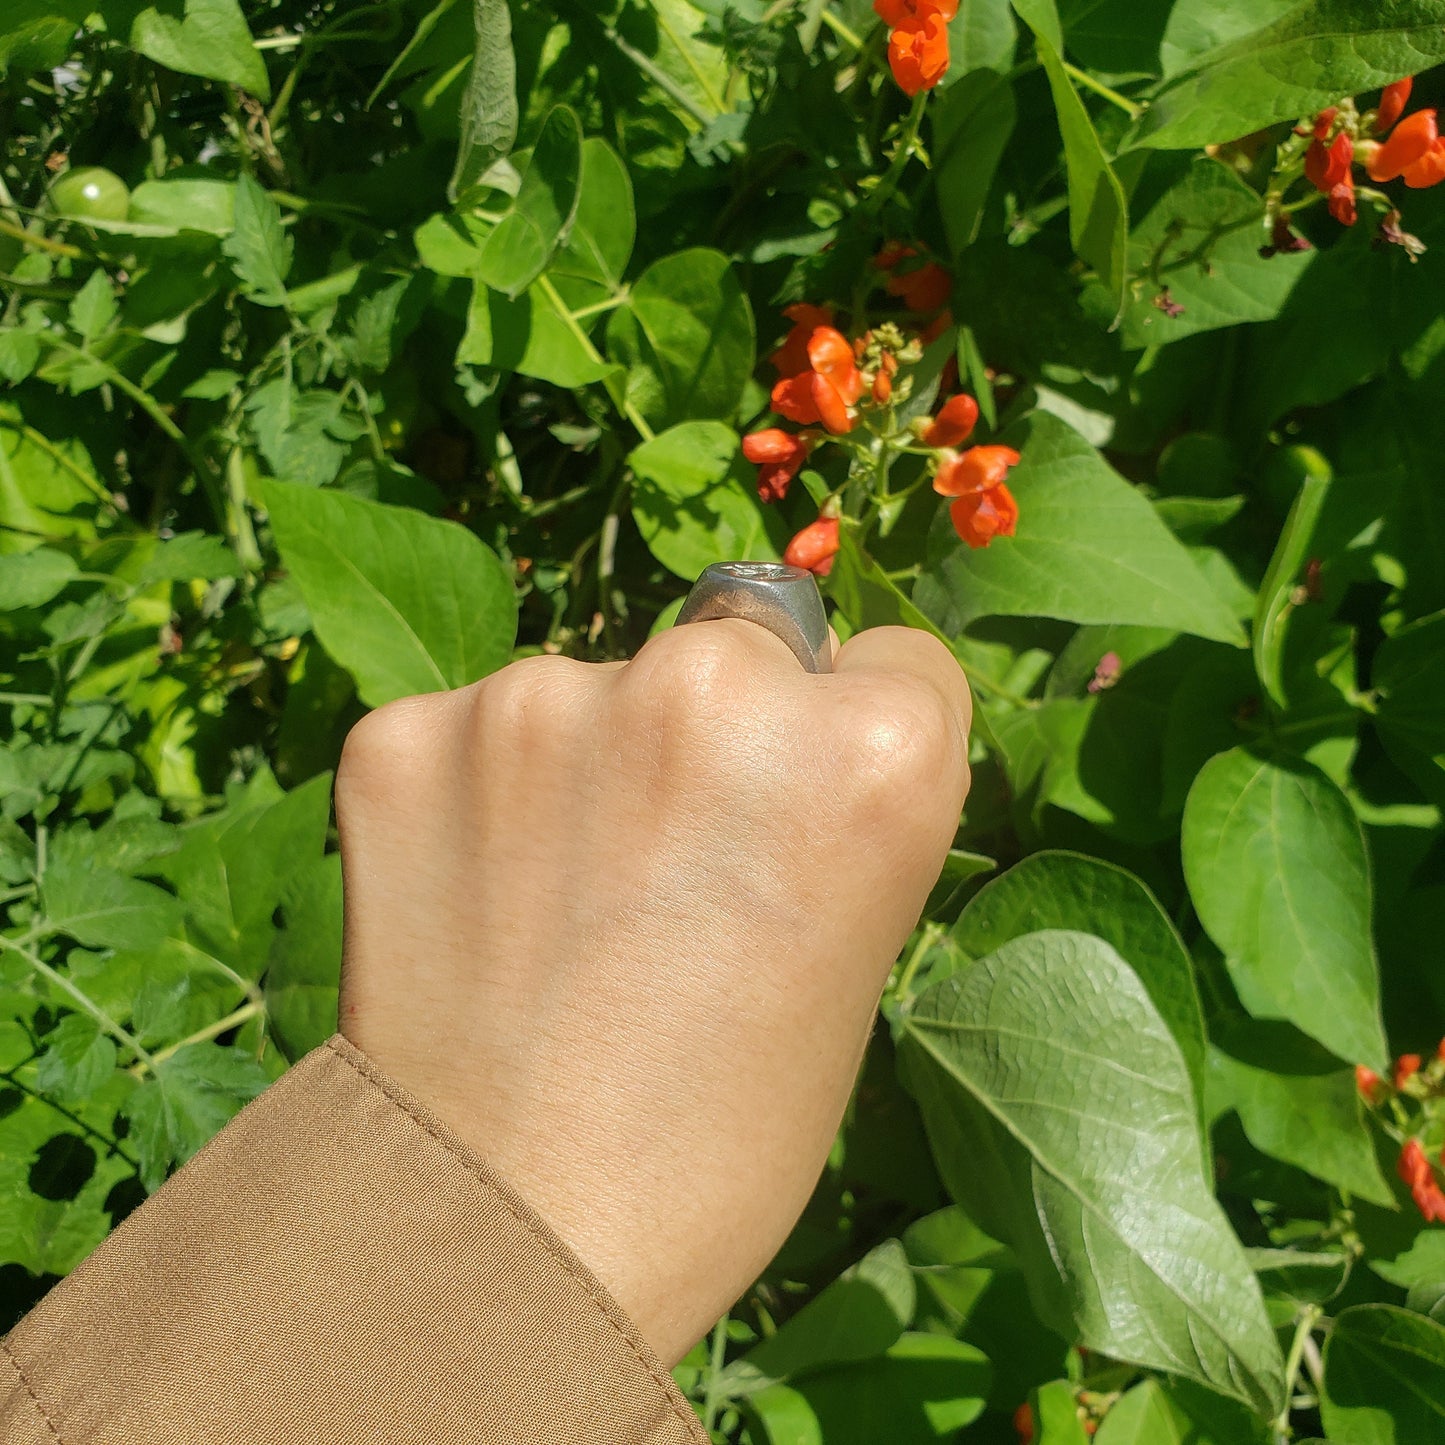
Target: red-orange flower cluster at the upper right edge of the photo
pixel 1412 150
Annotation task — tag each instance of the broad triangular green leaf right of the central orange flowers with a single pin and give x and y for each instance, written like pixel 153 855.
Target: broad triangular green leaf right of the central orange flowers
pixel 1089 550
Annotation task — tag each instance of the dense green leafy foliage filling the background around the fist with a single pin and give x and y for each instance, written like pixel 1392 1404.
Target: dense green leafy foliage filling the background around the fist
pixel 332 411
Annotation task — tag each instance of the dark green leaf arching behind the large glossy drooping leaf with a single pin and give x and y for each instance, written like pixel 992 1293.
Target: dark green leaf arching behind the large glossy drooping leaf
pixel 1070 891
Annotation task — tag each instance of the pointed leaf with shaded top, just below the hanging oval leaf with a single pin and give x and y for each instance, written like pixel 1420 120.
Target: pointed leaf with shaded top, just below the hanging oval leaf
pixel 1295 1105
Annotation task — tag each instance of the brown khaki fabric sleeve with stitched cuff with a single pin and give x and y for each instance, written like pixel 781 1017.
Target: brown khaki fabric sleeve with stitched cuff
pixel 335 1268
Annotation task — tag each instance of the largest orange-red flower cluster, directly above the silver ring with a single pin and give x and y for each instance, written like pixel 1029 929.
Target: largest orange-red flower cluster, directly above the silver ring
pixel 832 387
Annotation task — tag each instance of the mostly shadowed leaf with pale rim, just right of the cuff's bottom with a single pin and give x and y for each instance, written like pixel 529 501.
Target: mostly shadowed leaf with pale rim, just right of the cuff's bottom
pixel 858 1317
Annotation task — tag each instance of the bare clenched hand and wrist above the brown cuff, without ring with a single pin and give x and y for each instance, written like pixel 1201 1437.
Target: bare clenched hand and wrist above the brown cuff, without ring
pixel 625 928
